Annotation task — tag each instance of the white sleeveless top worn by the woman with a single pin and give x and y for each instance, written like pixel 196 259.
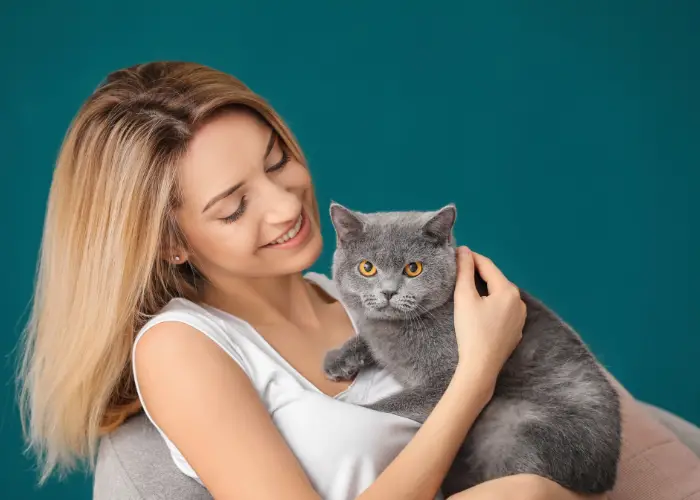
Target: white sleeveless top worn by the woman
pixel 341 446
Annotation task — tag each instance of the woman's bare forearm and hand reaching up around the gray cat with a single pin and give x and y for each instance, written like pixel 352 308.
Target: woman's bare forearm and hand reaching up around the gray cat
pixel 488 329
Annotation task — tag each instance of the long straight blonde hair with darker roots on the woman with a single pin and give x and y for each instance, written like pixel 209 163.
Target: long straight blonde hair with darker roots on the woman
pixel 101 271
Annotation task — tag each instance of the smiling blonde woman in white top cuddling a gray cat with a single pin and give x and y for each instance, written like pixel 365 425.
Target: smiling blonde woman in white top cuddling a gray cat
pixel 180 219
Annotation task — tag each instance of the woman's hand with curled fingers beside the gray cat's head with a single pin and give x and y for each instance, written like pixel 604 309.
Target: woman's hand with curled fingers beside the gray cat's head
pixel 488 328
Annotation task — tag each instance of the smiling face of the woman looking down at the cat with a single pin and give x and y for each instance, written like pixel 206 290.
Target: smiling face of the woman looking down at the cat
pixel 247 206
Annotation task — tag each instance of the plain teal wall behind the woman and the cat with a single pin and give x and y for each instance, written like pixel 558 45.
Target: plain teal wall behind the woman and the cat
pixel 566 132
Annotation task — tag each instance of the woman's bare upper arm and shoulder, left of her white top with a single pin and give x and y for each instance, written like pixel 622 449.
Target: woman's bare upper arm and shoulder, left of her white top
pixel 207 406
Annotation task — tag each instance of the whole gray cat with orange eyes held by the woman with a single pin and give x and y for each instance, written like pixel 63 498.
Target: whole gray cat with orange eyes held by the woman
pixel 553 412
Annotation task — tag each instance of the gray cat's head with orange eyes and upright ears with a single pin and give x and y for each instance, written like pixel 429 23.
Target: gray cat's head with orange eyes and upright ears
pixel 394 265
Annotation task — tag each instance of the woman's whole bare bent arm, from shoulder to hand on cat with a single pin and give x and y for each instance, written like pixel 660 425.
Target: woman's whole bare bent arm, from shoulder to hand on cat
pixel 206 405
